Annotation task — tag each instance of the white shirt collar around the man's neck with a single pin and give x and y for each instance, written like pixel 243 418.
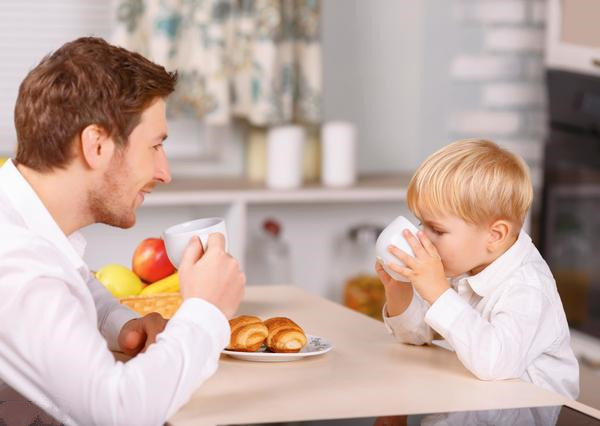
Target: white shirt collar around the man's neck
pixel 37 217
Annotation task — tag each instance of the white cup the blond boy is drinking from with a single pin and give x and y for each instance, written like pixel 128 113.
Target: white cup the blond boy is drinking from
pixel 392 235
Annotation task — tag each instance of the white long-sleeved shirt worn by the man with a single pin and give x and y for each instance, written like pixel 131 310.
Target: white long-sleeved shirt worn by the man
pixel 58 324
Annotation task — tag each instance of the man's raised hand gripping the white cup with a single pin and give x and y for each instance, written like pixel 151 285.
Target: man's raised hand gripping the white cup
pixel 213 275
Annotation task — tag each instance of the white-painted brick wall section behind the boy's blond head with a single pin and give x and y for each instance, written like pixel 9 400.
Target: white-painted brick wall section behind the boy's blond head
pixel 497 75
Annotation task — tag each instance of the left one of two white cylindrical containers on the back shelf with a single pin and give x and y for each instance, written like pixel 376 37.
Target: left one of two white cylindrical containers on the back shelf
pixel 285 155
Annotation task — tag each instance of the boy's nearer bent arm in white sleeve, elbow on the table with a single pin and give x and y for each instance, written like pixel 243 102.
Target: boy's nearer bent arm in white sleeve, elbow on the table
pixel 497 349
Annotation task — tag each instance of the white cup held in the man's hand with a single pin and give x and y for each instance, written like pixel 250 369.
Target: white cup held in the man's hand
pixel 177 237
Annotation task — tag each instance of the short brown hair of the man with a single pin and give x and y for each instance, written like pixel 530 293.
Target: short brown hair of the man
pixel 86 81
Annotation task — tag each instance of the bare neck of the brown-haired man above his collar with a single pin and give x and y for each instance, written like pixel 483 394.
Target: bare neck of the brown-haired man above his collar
pixel 63 194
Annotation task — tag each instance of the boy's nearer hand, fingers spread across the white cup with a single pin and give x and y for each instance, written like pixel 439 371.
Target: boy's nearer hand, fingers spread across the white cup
pixel 425 271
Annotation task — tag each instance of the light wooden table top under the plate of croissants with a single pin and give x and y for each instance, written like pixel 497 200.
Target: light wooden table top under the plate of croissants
pixel 366 374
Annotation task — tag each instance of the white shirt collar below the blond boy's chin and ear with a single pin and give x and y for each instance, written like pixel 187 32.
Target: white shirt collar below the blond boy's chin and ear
pixel 494 275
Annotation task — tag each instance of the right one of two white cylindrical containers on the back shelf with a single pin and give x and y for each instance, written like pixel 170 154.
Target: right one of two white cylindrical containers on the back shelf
pixel 338 154
